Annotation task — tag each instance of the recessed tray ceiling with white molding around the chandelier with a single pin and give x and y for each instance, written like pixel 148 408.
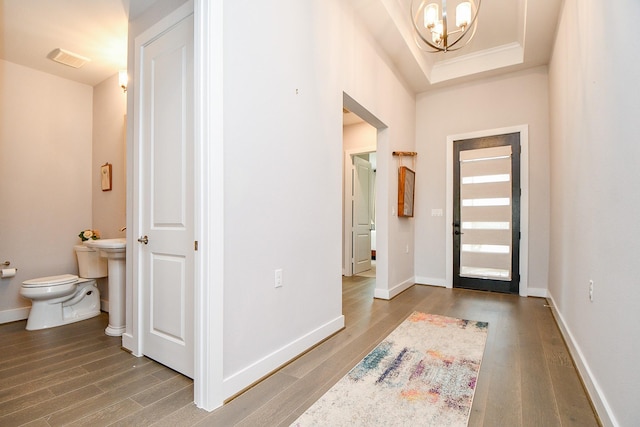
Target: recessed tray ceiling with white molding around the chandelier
pixel 507 39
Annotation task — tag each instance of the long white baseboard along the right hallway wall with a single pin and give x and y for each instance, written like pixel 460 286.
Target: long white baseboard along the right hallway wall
pixel 593 388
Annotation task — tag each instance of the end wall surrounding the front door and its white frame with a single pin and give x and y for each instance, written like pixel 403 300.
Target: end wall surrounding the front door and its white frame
pixel 515 99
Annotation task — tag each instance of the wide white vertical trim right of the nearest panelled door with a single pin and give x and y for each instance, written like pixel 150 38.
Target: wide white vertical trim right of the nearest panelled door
pixel 208 385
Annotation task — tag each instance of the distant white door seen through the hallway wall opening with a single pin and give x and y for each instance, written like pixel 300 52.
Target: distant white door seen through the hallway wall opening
pixel 362 189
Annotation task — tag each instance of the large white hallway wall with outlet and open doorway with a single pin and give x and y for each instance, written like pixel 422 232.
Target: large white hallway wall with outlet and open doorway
pixel 284 84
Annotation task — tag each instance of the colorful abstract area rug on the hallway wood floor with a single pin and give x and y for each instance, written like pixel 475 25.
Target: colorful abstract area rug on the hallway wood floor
pixel 423 374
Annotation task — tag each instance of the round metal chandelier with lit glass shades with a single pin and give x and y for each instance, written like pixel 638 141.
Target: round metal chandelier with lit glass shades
pixel 434 30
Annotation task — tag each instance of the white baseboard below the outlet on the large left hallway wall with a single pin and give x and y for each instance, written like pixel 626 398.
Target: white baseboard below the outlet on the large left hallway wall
pixel 238 381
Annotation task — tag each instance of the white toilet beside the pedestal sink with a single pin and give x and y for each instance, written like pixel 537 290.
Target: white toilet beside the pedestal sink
pixel 67 298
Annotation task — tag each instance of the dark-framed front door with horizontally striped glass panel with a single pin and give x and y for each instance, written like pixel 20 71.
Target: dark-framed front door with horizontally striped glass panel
pixel 486 213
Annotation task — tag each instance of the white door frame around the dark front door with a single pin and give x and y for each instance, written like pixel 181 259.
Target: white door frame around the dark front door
pixel 523 130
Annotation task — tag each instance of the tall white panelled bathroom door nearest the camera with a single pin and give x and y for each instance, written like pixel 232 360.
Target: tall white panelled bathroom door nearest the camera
pixel 166 269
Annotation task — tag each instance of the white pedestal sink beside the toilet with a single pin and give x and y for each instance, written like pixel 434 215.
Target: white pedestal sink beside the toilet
pixel 115 252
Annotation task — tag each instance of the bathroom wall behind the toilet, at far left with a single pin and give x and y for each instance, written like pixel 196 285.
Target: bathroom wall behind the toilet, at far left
pixel 45 177
